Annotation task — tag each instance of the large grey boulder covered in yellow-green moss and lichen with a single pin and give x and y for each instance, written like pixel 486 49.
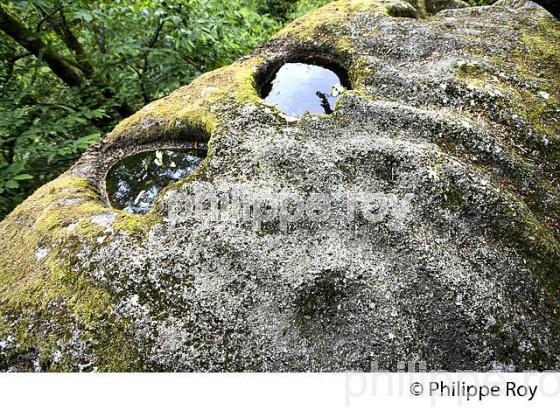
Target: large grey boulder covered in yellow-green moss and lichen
pixel 454 117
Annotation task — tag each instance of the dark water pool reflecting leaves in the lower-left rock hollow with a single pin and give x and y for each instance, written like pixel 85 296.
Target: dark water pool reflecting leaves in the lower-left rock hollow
pixel 134 182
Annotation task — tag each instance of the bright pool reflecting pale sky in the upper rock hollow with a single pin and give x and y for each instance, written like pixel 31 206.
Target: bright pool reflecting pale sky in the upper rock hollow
pixel 299 88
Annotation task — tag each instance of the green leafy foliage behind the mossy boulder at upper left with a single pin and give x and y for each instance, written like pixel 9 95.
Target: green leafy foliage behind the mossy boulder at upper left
pixel 126 53
